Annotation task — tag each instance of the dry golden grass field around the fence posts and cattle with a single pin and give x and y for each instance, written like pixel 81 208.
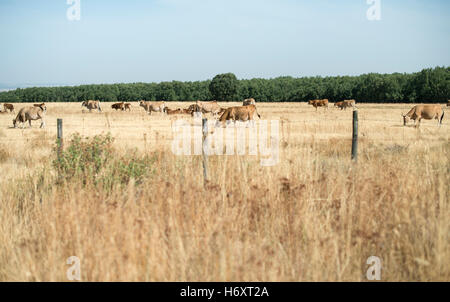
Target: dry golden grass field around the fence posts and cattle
pixel 144 214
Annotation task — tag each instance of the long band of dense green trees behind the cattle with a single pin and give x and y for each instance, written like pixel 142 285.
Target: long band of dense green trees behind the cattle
pixel 427 86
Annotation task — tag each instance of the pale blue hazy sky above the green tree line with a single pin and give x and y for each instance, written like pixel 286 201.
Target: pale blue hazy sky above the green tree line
pixel 187 40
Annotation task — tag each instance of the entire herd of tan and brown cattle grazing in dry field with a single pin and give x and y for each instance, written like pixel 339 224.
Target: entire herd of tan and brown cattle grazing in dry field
pixel 243 113
